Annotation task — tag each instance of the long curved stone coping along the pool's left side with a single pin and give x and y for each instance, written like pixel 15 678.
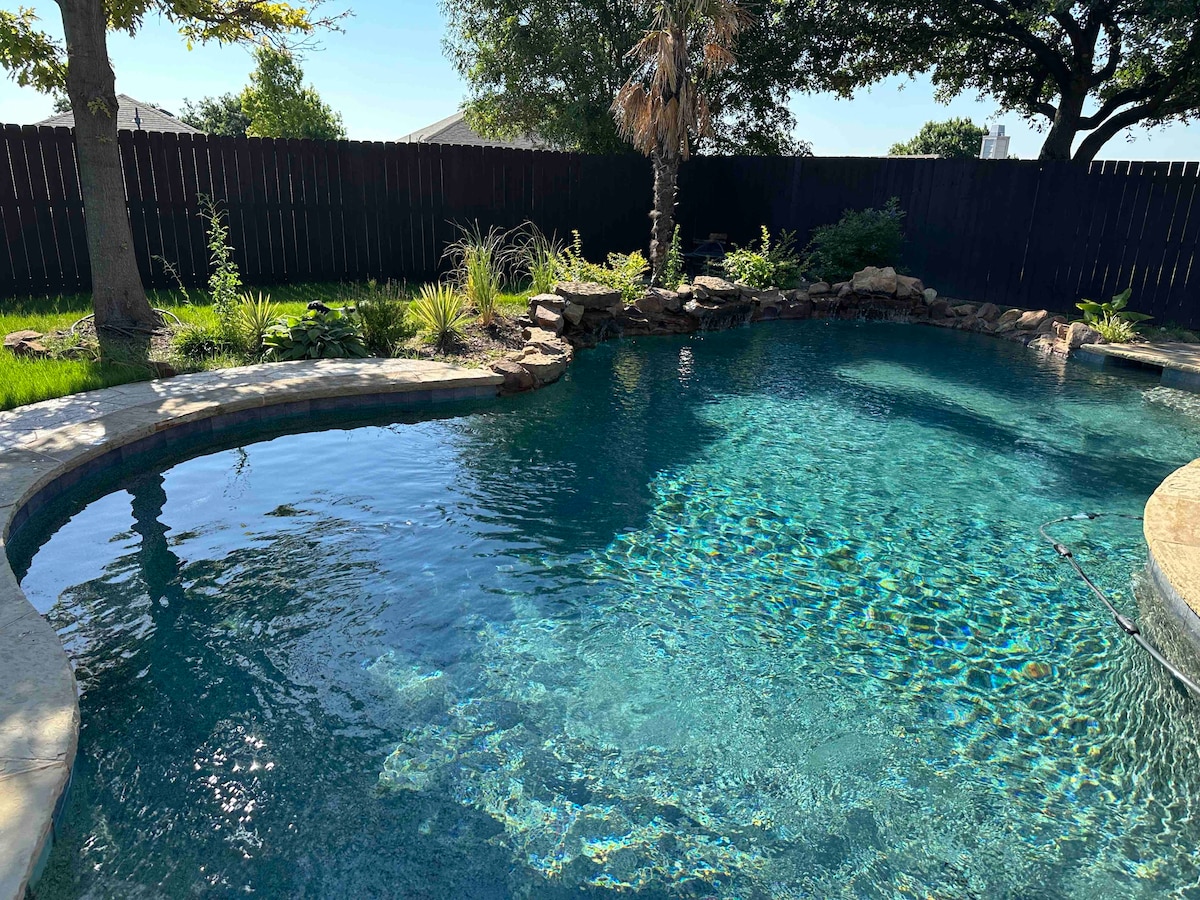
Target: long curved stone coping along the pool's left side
pixel 46 448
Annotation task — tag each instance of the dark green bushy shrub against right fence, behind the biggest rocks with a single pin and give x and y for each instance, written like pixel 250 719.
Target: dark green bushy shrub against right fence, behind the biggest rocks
pixel 862 238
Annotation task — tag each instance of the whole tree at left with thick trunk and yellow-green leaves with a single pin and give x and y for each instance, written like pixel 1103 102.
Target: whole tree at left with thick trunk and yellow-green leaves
pixel 81 67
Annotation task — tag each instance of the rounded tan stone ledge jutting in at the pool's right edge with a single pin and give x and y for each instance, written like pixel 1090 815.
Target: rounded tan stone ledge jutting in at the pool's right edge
pixel 1173 535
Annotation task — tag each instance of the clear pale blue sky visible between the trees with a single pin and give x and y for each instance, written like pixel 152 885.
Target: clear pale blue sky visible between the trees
pixel 387 76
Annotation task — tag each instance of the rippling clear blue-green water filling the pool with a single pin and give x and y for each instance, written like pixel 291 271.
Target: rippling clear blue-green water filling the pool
pixel 752 615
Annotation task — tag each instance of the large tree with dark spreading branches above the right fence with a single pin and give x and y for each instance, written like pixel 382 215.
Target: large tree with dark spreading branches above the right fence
pixel 1084 71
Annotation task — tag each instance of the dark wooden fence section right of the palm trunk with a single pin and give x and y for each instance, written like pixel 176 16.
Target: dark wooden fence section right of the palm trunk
pixel 1024 233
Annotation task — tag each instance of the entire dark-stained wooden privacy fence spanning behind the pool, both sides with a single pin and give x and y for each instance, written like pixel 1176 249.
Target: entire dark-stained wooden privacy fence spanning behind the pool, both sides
pixel 1011 232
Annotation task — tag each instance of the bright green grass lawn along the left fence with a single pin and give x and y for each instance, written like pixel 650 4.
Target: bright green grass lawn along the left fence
pixel 28 381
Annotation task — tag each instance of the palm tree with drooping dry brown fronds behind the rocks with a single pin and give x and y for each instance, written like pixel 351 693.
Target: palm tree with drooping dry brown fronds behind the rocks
pixel 663 107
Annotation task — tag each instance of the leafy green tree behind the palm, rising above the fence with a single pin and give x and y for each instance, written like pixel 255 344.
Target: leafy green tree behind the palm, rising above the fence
pixel 551 68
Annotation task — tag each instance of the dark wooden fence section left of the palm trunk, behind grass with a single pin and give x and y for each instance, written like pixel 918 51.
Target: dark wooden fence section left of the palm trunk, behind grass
pixel 302 211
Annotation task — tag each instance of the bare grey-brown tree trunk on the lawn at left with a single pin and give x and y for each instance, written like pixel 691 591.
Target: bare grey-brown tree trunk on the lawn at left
pixel 118 298
